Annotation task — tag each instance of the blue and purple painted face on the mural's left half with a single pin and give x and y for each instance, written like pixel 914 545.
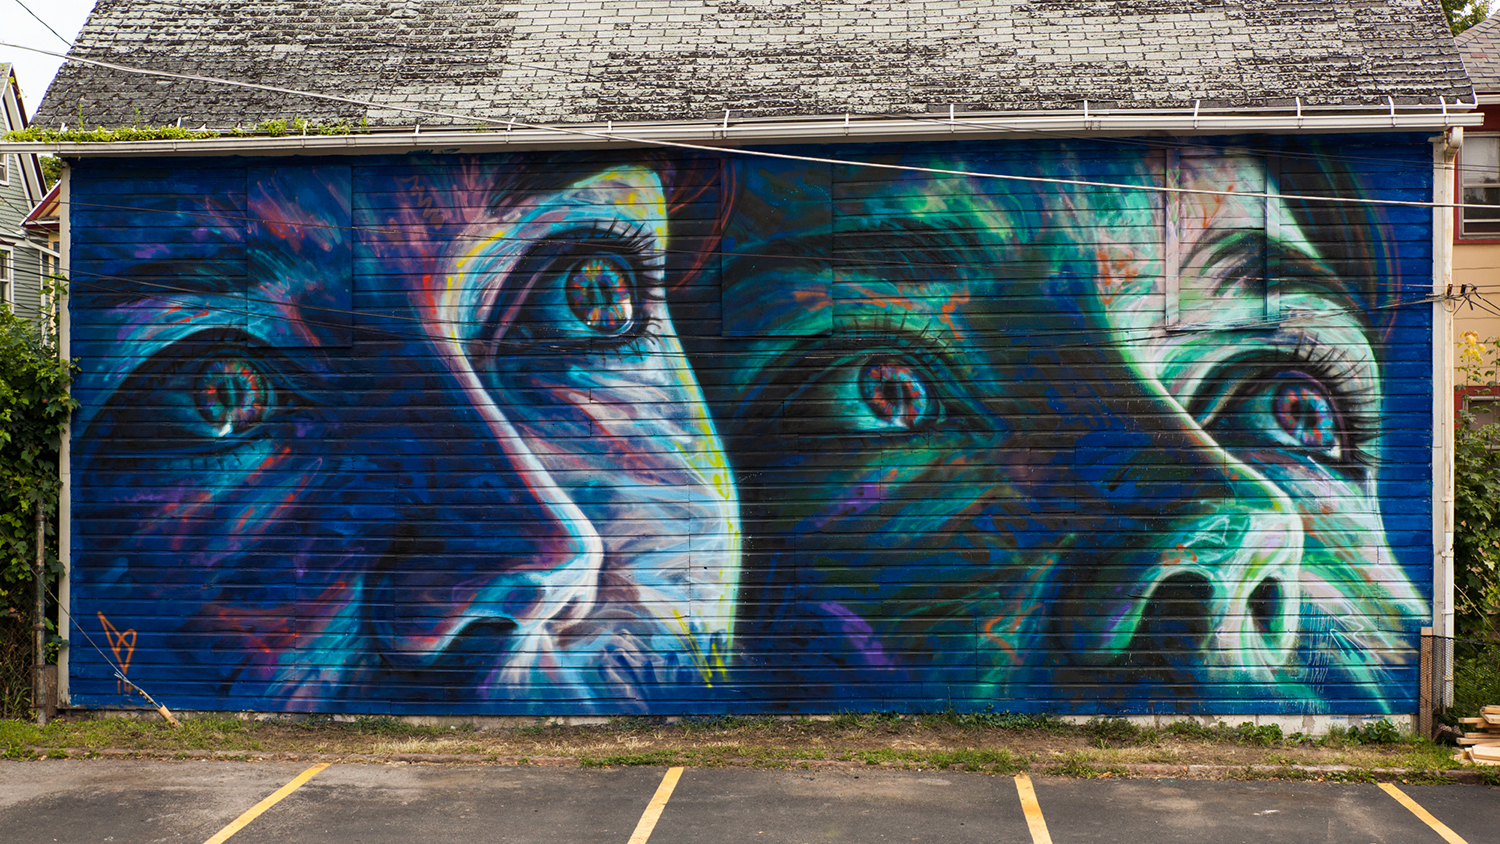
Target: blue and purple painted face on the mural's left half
pixel 488 479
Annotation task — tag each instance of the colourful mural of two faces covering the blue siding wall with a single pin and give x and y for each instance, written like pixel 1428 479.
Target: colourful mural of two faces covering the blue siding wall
pixel 638 432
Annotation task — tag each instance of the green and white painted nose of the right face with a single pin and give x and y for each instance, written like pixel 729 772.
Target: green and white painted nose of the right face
pixel 1196 555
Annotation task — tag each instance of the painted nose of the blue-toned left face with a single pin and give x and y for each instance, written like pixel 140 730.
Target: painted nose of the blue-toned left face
pixel 491 552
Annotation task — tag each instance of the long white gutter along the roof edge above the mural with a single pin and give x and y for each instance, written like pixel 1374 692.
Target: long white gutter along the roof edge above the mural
pixel 809 130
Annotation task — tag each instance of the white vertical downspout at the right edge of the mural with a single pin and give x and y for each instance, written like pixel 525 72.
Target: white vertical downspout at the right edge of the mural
pixel 1445 152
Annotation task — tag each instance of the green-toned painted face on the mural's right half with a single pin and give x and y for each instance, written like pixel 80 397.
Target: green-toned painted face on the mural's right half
pixel 1061 449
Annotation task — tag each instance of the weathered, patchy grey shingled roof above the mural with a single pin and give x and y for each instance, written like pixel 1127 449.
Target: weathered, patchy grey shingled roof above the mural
pixel 647 61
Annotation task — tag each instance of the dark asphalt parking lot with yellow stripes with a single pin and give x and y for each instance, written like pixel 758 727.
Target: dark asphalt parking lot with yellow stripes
pixel 137 801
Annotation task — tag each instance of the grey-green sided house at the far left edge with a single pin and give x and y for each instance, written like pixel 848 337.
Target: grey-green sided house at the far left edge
pixel 22 188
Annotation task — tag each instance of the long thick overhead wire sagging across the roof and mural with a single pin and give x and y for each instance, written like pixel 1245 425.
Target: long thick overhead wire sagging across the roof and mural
pixel 617 139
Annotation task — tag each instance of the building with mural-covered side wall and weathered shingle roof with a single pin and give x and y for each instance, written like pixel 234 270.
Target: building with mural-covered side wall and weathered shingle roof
pixel 683 356
